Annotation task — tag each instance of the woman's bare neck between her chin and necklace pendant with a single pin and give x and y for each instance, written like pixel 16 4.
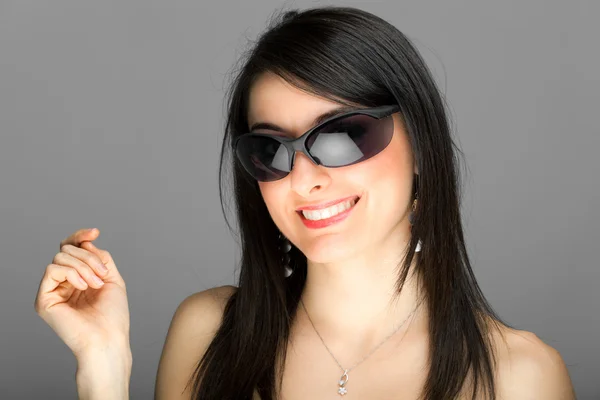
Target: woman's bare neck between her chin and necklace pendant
pixel 356 299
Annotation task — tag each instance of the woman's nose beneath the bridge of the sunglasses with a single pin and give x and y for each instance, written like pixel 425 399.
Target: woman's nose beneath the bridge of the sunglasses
pixel 307 177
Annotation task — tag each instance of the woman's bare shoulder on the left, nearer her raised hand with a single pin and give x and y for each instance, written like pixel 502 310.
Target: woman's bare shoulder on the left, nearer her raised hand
pixel 192 328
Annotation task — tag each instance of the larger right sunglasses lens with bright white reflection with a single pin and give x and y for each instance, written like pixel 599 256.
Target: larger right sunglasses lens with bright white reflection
pixel 350 140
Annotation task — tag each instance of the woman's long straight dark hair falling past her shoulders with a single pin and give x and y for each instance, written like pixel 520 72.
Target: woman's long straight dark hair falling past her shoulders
pixel 352 57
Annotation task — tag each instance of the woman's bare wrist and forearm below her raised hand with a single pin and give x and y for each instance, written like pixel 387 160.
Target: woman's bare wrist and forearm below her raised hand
pixel 104 375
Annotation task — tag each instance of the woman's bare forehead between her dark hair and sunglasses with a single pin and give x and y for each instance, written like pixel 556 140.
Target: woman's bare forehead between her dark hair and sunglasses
pixel 274 100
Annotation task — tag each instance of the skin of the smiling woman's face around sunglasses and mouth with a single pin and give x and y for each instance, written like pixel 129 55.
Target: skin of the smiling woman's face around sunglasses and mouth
pixel 383 182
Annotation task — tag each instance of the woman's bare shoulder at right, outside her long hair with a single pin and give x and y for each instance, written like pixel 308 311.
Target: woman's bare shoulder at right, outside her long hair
pixel 528 368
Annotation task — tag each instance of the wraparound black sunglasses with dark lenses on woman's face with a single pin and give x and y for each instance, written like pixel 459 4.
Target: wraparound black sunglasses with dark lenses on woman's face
pixel 342 140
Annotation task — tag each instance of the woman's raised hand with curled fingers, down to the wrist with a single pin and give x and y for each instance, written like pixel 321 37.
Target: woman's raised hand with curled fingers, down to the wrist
pixel 83 297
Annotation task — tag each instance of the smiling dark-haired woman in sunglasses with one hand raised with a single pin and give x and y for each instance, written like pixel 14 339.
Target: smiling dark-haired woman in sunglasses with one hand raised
pixel 355 278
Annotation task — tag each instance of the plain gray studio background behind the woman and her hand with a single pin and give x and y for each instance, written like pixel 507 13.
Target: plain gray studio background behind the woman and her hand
pixel 111 116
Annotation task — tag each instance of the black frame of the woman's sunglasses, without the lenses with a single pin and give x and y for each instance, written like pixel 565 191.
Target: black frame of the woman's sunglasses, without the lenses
pixel 299 144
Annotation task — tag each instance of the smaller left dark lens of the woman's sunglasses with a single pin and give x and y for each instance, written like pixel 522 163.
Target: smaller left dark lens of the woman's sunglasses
pixel 264 158
